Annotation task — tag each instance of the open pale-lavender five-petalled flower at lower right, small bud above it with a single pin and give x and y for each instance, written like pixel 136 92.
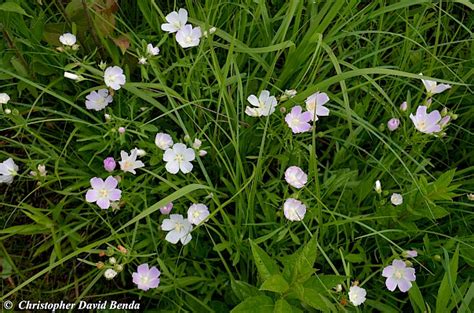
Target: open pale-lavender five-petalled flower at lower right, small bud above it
pixel 398 274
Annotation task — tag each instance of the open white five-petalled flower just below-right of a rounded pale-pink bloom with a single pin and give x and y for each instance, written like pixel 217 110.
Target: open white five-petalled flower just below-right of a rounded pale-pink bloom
pixel 179 157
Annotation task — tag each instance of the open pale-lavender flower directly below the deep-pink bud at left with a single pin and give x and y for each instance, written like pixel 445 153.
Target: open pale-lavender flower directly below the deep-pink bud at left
pixel 103 192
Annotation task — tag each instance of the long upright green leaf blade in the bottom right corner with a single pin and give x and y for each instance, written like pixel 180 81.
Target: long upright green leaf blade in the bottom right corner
pixel 448 283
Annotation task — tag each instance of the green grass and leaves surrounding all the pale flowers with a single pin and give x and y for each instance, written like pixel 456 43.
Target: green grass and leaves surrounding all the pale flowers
pixel 365 55
